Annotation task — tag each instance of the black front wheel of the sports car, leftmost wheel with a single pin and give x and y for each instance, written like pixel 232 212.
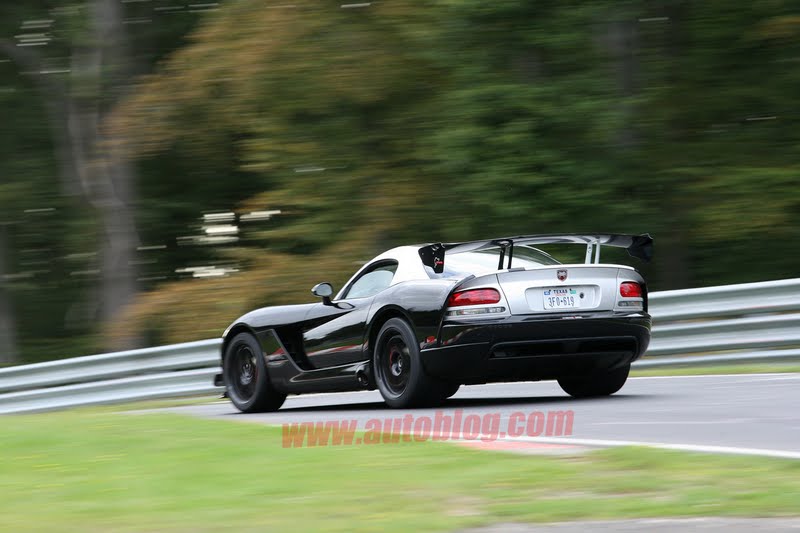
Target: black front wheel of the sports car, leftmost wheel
pixel 245 374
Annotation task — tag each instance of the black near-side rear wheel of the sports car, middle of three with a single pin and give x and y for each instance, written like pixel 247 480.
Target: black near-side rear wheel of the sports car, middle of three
pixel 398 368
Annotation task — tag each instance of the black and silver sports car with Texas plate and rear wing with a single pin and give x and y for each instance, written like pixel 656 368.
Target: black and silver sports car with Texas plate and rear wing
pixel 419 321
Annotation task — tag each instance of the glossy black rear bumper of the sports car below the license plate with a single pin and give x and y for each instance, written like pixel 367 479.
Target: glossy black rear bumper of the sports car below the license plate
pixel 524 348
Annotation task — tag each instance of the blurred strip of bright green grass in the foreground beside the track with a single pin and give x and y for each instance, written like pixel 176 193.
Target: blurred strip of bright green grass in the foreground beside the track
pixel 96 471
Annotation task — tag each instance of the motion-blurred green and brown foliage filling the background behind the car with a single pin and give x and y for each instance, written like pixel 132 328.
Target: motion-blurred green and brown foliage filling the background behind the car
pixel 412 121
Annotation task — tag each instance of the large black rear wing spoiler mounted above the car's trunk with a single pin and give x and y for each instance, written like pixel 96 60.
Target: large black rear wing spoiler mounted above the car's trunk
pixel 638 246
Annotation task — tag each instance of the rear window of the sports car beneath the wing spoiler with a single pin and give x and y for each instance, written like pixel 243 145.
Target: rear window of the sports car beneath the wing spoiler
pixel 486 261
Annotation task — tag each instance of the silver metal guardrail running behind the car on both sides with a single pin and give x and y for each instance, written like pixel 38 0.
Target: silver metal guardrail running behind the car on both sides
pixel 748 323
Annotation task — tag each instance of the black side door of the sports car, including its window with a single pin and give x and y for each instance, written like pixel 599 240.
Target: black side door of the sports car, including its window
pixel 335 334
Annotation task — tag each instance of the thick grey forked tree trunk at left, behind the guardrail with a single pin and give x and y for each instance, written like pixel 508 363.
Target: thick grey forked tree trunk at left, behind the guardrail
pixel 91 165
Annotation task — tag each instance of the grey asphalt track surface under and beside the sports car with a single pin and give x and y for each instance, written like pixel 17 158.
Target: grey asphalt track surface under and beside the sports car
pixel 743 414
